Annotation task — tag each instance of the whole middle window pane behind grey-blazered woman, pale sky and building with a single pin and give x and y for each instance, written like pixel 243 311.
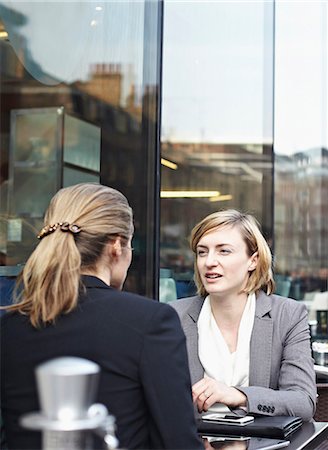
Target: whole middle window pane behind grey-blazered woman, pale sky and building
pixel 217 122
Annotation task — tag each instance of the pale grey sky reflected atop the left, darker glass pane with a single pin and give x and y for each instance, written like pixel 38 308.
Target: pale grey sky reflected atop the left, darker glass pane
pixel 79 34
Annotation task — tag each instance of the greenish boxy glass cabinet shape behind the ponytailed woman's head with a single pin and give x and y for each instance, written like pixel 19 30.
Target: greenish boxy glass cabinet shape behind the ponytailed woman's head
pixel 48 149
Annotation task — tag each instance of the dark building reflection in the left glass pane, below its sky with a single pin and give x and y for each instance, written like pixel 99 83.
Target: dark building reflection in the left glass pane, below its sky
pixel 70 132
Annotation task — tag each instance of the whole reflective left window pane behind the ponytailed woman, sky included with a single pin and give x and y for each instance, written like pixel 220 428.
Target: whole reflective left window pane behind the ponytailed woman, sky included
pixel 90 65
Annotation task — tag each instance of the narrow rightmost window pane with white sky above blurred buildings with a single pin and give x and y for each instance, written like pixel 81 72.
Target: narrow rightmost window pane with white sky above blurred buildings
pixel 301 152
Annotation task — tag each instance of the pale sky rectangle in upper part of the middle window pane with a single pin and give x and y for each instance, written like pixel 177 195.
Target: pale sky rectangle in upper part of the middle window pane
pixel 215 57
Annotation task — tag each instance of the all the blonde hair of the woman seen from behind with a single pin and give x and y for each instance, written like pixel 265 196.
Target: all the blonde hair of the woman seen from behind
pixel 50 280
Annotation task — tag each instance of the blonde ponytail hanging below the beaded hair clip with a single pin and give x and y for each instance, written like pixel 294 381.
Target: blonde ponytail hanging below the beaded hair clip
pixel 50 280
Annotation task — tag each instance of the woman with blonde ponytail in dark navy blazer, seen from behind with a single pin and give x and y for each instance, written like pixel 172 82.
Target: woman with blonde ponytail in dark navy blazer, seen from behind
pixel 68 302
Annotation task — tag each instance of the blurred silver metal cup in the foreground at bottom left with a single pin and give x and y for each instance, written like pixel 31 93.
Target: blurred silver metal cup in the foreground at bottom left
pixel 69 418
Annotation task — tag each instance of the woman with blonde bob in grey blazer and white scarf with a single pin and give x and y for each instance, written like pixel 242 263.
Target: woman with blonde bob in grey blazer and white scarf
pixel 248 349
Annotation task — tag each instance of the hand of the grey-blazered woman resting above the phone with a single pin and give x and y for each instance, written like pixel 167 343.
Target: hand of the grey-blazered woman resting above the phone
pixel 208 391
